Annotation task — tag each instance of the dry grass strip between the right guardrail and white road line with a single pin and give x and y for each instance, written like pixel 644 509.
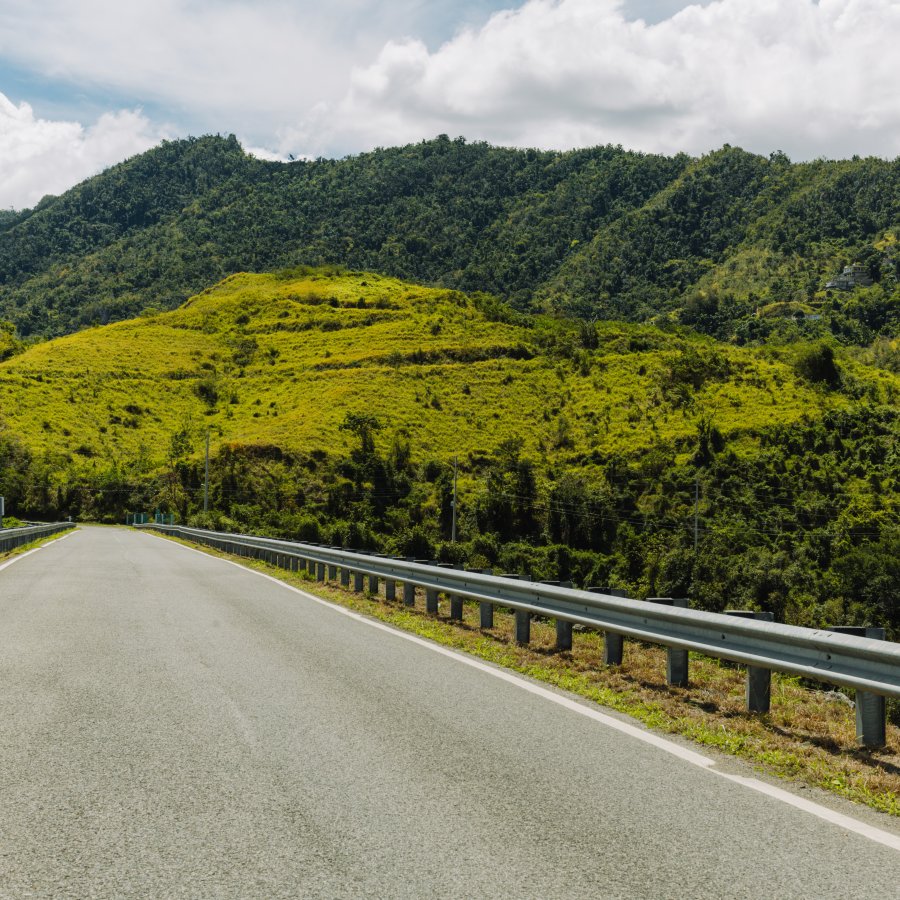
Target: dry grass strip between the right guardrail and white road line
pixel 808 736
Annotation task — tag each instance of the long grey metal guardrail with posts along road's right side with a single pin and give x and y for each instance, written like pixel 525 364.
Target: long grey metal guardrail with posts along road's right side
pixel 871 667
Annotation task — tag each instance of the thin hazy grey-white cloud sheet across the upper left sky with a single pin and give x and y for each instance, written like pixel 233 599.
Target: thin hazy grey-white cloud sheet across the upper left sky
pixel 224 65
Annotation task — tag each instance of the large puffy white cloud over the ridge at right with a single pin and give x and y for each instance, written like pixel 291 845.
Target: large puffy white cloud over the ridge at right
pixel 808 78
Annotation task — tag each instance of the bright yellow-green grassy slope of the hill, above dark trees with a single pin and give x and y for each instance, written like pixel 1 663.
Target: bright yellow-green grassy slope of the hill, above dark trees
pixel 424 361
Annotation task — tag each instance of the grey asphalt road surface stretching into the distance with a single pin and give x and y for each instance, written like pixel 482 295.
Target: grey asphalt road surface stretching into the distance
pixel 173 725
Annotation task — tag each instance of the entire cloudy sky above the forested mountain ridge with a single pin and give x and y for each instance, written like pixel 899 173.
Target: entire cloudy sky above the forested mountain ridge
pixel 85 85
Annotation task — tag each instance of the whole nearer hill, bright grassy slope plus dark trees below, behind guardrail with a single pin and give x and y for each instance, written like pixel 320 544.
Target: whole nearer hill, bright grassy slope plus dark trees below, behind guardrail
pixel 337 402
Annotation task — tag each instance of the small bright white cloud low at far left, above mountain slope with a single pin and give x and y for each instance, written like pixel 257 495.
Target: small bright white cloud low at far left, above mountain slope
pixel 39 157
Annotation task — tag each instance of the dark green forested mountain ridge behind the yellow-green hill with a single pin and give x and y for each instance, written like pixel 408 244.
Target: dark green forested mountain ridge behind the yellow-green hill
pixel 734 244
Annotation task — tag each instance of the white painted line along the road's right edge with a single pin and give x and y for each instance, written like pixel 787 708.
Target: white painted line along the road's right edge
pixel 696 759
